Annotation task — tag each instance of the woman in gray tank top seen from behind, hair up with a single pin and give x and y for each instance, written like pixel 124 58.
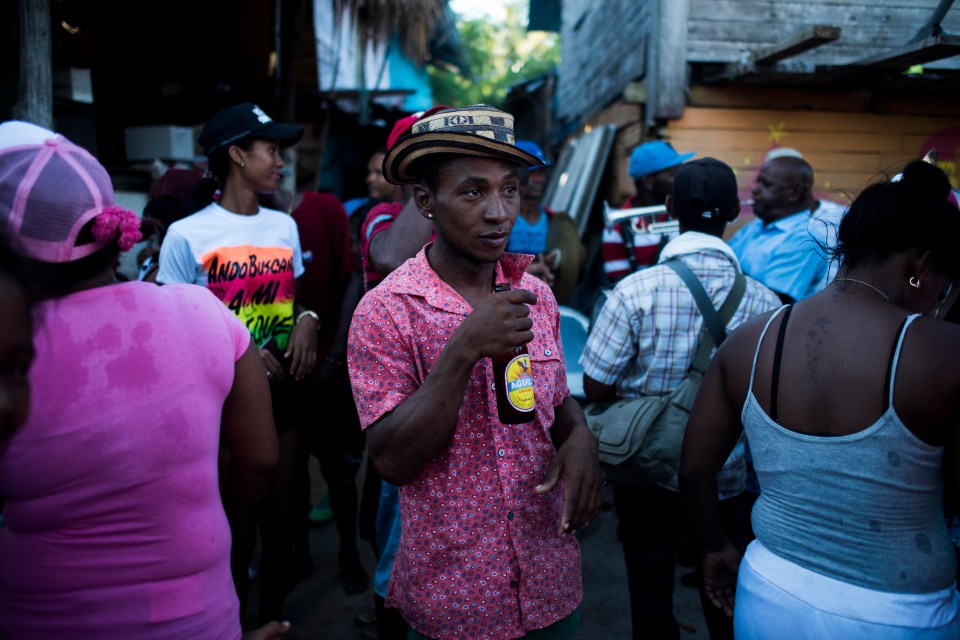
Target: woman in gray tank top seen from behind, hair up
pixel 850 400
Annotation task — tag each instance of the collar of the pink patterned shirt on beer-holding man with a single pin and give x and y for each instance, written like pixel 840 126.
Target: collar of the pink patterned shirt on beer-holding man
pixel 421 280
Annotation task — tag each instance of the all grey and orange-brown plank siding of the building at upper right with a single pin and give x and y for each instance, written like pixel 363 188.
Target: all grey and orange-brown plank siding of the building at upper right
pixel 852 136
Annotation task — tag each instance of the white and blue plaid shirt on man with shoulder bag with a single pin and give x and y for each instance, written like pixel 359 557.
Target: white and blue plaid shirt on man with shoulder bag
pixel 646 336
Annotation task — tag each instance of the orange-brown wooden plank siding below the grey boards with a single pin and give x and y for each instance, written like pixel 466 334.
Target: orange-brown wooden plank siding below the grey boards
pixel 847 150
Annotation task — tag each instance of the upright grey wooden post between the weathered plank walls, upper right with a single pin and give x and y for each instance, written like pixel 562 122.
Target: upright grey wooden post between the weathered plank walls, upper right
pixel 667 60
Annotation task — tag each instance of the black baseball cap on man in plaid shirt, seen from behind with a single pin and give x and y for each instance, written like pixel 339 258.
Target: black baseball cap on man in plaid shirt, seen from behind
pixel 706 188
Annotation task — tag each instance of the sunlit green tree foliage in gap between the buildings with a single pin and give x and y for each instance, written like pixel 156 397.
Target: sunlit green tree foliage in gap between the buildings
pixel 500 55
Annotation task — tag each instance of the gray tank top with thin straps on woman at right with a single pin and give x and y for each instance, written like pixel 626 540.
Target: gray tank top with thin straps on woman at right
pixel 864 508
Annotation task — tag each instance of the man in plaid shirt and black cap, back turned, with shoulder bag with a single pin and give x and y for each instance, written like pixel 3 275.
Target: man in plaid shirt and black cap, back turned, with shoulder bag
pixel 643 343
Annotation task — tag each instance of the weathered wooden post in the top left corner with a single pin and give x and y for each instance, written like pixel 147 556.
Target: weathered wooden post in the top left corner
pixel 36 77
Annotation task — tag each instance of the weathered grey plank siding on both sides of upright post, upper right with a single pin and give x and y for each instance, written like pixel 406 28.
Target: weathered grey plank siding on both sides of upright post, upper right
pixel 606 42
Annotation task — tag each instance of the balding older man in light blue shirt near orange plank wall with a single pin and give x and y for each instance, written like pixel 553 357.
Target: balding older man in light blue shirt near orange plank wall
pixel 777 248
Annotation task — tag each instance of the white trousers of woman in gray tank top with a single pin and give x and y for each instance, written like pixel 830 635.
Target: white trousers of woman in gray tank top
pixel 777 599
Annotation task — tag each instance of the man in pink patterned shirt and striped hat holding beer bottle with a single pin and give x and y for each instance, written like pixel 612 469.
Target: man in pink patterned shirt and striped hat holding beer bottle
pixel 487 508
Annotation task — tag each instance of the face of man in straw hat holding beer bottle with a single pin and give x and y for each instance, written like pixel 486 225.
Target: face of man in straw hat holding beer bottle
pixel 474 207
